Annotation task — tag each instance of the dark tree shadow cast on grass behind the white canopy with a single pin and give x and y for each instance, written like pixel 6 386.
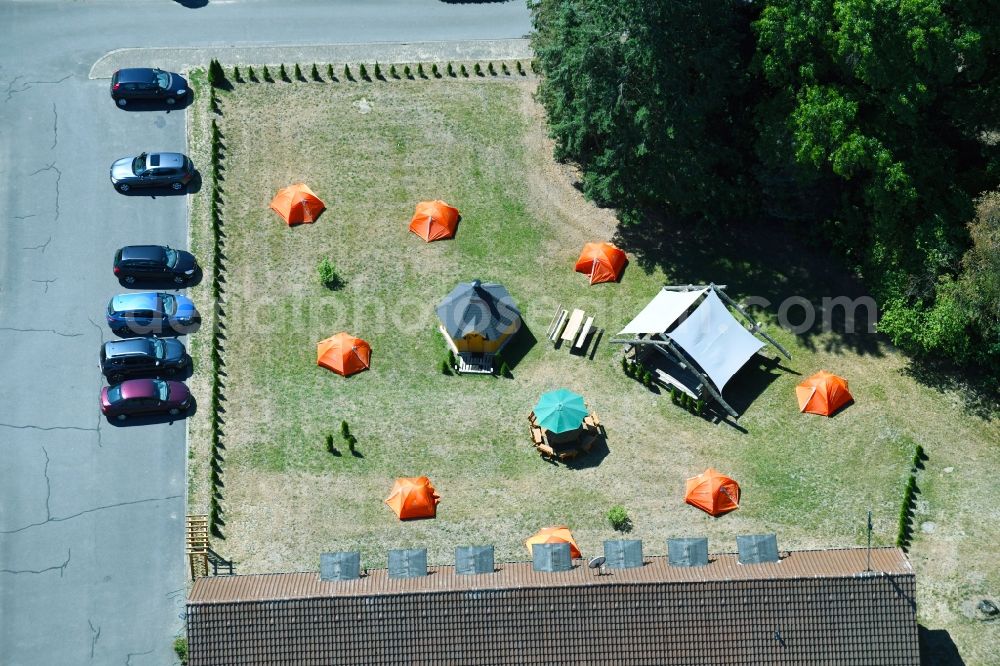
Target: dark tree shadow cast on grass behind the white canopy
pixel 758 261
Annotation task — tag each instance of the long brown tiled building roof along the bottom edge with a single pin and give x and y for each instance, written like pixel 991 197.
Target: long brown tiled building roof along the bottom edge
pixel 813 607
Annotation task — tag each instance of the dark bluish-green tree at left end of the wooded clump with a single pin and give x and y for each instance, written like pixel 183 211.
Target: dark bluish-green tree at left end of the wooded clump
pixel 646 96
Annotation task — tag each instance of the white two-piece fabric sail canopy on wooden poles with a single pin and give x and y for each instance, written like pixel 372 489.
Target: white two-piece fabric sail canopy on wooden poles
pixel 710 343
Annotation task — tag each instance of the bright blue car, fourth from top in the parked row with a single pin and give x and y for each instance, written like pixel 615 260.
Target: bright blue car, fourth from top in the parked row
pixel 152 313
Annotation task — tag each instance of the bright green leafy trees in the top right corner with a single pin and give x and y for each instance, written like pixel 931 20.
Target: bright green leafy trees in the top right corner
pixel 879 109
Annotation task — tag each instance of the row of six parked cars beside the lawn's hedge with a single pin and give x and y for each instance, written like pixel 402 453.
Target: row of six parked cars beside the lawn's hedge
pixel 140 366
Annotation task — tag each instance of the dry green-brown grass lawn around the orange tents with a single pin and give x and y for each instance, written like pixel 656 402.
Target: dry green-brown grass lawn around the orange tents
pixel 371 151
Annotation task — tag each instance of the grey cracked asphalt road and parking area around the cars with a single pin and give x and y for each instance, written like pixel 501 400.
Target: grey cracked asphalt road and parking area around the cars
pixel 92 567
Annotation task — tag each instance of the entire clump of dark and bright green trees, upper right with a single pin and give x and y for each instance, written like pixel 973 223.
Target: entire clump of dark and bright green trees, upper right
pixel 873 122
